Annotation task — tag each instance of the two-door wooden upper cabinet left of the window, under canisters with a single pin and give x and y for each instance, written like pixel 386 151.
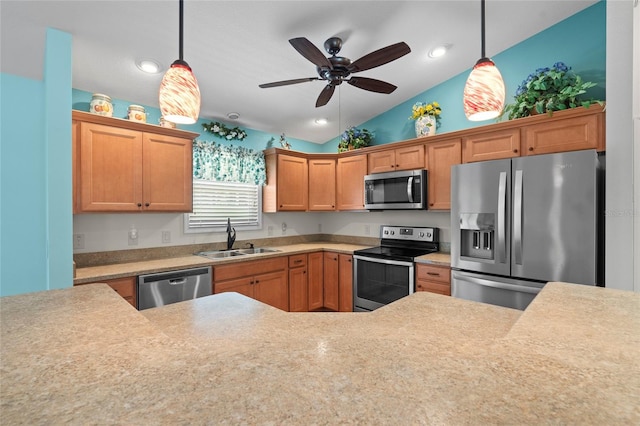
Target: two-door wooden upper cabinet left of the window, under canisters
pixel 123 166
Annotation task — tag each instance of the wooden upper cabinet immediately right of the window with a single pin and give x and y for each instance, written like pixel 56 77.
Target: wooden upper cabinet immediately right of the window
pixel 287 187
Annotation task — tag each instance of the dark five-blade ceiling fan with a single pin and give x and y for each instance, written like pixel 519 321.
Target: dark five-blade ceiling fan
pixel 336 69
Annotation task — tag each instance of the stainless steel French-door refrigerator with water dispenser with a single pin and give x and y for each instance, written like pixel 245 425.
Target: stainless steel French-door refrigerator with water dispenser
pixel 519 223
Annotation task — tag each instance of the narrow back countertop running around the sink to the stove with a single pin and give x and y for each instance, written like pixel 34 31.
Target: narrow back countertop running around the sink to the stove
pixel 119 270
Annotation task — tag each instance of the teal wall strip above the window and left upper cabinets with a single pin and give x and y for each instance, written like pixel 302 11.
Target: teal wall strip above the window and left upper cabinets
pixel 256 139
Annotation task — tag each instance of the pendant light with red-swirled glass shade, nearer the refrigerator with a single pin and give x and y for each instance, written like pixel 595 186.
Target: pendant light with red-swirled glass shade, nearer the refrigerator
pixel 484 91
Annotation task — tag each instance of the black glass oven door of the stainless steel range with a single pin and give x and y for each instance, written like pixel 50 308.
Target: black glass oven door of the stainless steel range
pixel 378 282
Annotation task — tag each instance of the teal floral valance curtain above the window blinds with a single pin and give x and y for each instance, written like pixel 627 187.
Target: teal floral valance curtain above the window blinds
pixel 223 163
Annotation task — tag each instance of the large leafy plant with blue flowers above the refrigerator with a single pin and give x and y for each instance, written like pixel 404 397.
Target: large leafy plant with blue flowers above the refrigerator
pixel 549 89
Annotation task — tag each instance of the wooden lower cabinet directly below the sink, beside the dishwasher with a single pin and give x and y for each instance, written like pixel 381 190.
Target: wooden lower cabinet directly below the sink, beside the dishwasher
pixel 264 280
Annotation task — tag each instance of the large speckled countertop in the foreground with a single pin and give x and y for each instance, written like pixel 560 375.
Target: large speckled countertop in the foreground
pixel 84 356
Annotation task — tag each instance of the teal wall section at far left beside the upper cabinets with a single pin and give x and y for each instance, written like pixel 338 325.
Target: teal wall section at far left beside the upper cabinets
pixel 35 179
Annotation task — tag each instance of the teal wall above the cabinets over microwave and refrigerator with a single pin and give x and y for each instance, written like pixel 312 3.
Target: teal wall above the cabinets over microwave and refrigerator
pixel 579 41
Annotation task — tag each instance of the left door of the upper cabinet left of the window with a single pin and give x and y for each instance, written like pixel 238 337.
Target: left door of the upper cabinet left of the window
pixel 110 169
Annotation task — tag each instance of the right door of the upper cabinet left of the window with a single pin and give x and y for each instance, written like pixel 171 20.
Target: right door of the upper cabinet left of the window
pixel 167 173
